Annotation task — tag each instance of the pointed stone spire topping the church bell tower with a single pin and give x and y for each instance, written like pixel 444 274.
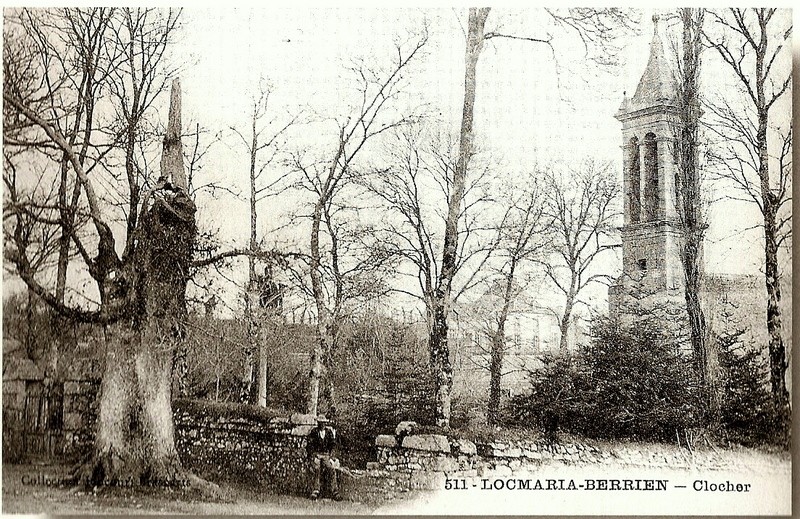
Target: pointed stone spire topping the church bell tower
pixel 657 85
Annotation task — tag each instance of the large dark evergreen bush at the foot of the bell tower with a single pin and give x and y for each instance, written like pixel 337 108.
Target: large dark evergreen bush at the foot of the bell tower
pixel 631 381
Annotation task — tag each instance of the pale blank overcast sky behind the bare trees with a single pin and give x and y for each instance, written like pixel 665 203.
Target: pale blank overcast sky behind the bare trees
pixel 531 106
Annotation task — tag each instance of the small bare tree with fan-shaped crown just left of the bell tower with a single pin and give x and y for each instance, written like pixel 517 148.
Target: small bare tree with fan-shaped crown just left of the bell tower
pixel 582 206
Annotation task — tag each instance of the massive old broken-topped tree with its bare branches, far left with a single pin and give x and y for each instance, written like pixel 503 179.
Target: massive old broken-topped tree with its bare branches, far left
pixel 99 147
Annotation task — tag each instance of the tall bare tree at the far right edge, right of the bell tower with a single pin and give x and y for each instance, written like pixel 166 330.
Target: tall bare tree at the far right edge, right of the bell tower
pixel 754 45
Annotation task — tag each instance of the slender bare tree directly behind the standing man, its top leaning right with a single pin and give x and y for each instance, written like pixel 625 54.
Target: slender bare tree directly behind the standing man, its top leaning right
pixel 328 181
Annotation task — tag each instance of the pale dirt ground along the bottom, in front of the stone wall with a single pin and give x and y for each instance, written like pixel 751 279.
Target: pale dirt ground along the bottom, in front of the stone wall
pixel 35 488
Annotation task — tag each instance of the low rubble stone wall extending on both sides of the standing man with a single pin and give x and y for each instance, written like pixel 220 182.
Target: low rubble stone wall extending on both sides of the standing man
pixel 256 447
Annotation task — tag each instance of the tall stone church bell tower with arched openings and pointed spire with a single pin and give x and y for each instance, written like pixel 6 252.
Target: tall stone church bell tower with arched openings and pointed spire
pixel 651 232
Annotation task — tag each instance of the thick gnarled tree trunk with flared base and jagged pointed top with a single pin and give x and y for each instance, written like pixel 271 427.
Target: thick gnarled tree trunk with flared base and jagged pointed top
pixel 135 436
